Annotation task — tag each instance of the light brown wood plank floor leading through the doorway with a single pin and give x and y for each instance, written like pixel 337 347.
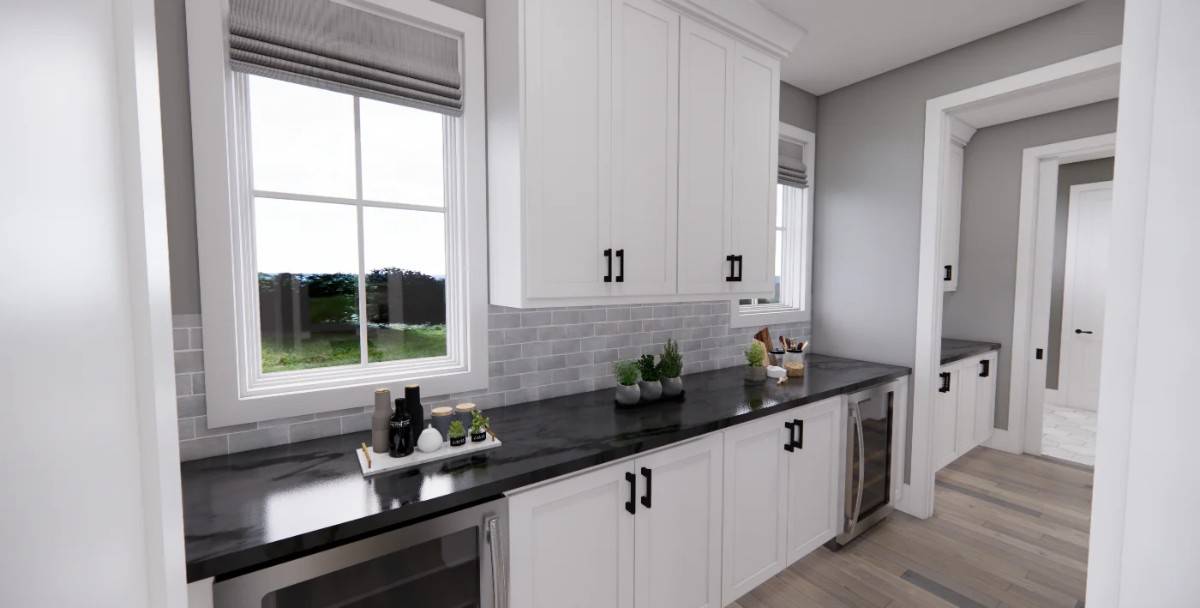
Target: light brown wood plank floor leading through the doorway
pixel 1007 532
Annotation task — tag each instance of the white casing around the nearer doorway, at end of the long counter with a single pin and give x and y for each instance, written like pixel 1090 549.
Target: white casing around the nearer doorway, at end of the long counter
pixel 927 363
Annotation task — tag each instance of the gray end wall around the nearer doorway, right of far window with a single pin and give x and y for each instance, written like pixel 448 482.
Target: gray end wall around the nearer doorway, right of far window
pixel 872 137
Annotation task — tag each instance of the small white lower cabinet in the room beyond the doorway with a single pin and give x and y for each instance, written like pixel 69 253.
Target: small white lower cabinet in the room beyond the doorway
pixel 964 407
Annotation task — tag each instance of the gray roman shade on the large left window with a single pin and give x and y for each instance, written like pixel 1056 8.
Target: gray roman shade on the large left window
pixel 322 44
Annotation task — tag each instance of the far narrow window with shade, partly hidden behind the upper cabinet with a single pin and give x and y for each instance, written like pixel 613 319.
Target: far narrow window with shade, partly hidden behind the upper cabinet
pixel 790 303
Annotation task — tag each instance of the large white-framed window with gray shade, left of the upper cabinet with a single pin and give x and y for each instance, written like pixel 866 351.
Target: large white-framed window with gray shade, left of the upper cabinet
pixel 340 202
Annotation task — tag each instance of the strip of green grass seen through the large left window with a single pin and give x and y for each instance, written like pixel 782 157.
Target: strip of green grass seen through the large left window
pixel 394 344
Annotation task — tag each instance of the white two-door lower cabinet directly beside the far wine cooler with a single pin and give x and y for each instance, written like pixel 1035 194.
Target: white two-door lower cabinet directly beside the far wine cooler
pixel 782 498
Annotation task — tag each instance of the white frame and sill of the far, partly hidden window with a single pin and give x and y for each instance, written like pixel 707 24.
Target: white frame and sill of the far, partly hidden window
pixel 797 304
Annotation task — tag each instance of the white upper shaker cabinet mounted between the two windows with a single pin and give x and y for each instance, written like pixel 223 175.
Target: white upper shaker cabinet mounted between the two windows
pixel 632 154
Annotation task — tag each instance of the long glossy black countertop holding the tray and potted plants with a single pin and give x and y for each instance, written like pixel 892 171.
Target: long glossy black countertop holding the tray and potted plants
pixel 250 510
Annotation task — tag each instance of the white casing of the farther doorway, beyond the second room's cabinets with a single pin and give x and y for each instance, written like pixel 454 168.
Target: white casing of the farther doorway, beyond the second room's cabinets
pixel 1031 299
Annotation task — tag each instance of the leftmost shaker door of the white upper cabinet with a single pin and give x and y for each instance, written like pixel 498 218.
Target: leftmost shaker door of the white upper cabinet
pixel 568 109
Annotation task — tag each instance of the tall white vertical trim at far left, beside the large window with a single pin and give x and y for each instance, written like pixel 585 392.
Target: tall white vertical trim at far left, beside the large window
pixel 141 125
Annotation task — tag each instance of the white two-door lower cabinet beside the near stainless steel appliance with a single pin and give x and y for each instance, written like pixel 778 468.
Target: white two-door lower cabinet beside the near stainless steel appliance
pixel 644 533
